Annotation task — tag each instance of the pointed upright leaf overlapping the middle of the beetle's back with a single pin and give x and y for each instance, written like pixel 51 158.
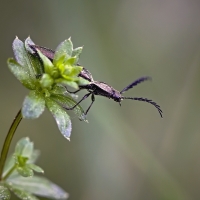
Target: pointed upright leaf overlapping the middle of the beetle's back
pixel 65 48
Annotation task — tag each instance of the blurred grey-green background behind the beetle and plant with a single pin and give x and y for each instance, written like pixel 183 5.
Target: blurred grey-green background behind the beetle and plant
pixel 126 152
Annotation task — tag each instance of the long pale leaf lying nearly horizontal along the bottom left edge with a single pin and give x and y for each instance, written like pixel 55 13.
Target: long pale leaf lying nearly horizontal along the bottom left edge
pixel 40 186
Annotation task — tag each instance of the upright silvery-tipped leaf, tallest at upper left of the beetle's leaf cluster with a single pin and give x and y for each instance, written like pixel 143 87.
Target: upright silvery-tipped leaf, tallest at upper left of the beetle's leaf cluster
pixel 21 56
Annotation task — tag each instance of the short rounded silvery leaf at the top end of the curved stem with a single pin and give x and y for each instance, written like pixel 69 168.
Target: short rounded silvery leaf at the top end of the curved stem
pixel 33 105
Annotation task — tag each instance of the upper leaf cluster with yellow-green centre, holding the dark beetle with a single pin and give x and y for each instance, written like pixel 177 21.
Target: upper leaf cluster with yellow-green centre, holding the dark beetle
pixel 47 81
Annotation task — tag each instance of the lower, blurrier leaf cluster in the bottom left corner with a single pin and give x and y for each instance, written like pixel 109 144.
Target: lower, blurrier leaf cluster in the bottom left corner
pixel 19 178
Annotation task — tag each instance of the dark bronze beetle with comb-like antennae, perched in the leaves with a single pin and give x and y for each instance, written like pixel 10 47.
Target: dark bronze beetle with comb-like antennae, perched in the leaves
pixel 98 87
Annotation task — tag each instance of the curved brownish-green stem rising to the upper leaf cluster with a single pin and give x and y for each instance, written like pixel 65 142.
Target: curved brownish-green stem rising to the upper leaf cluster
pixel 7 142
